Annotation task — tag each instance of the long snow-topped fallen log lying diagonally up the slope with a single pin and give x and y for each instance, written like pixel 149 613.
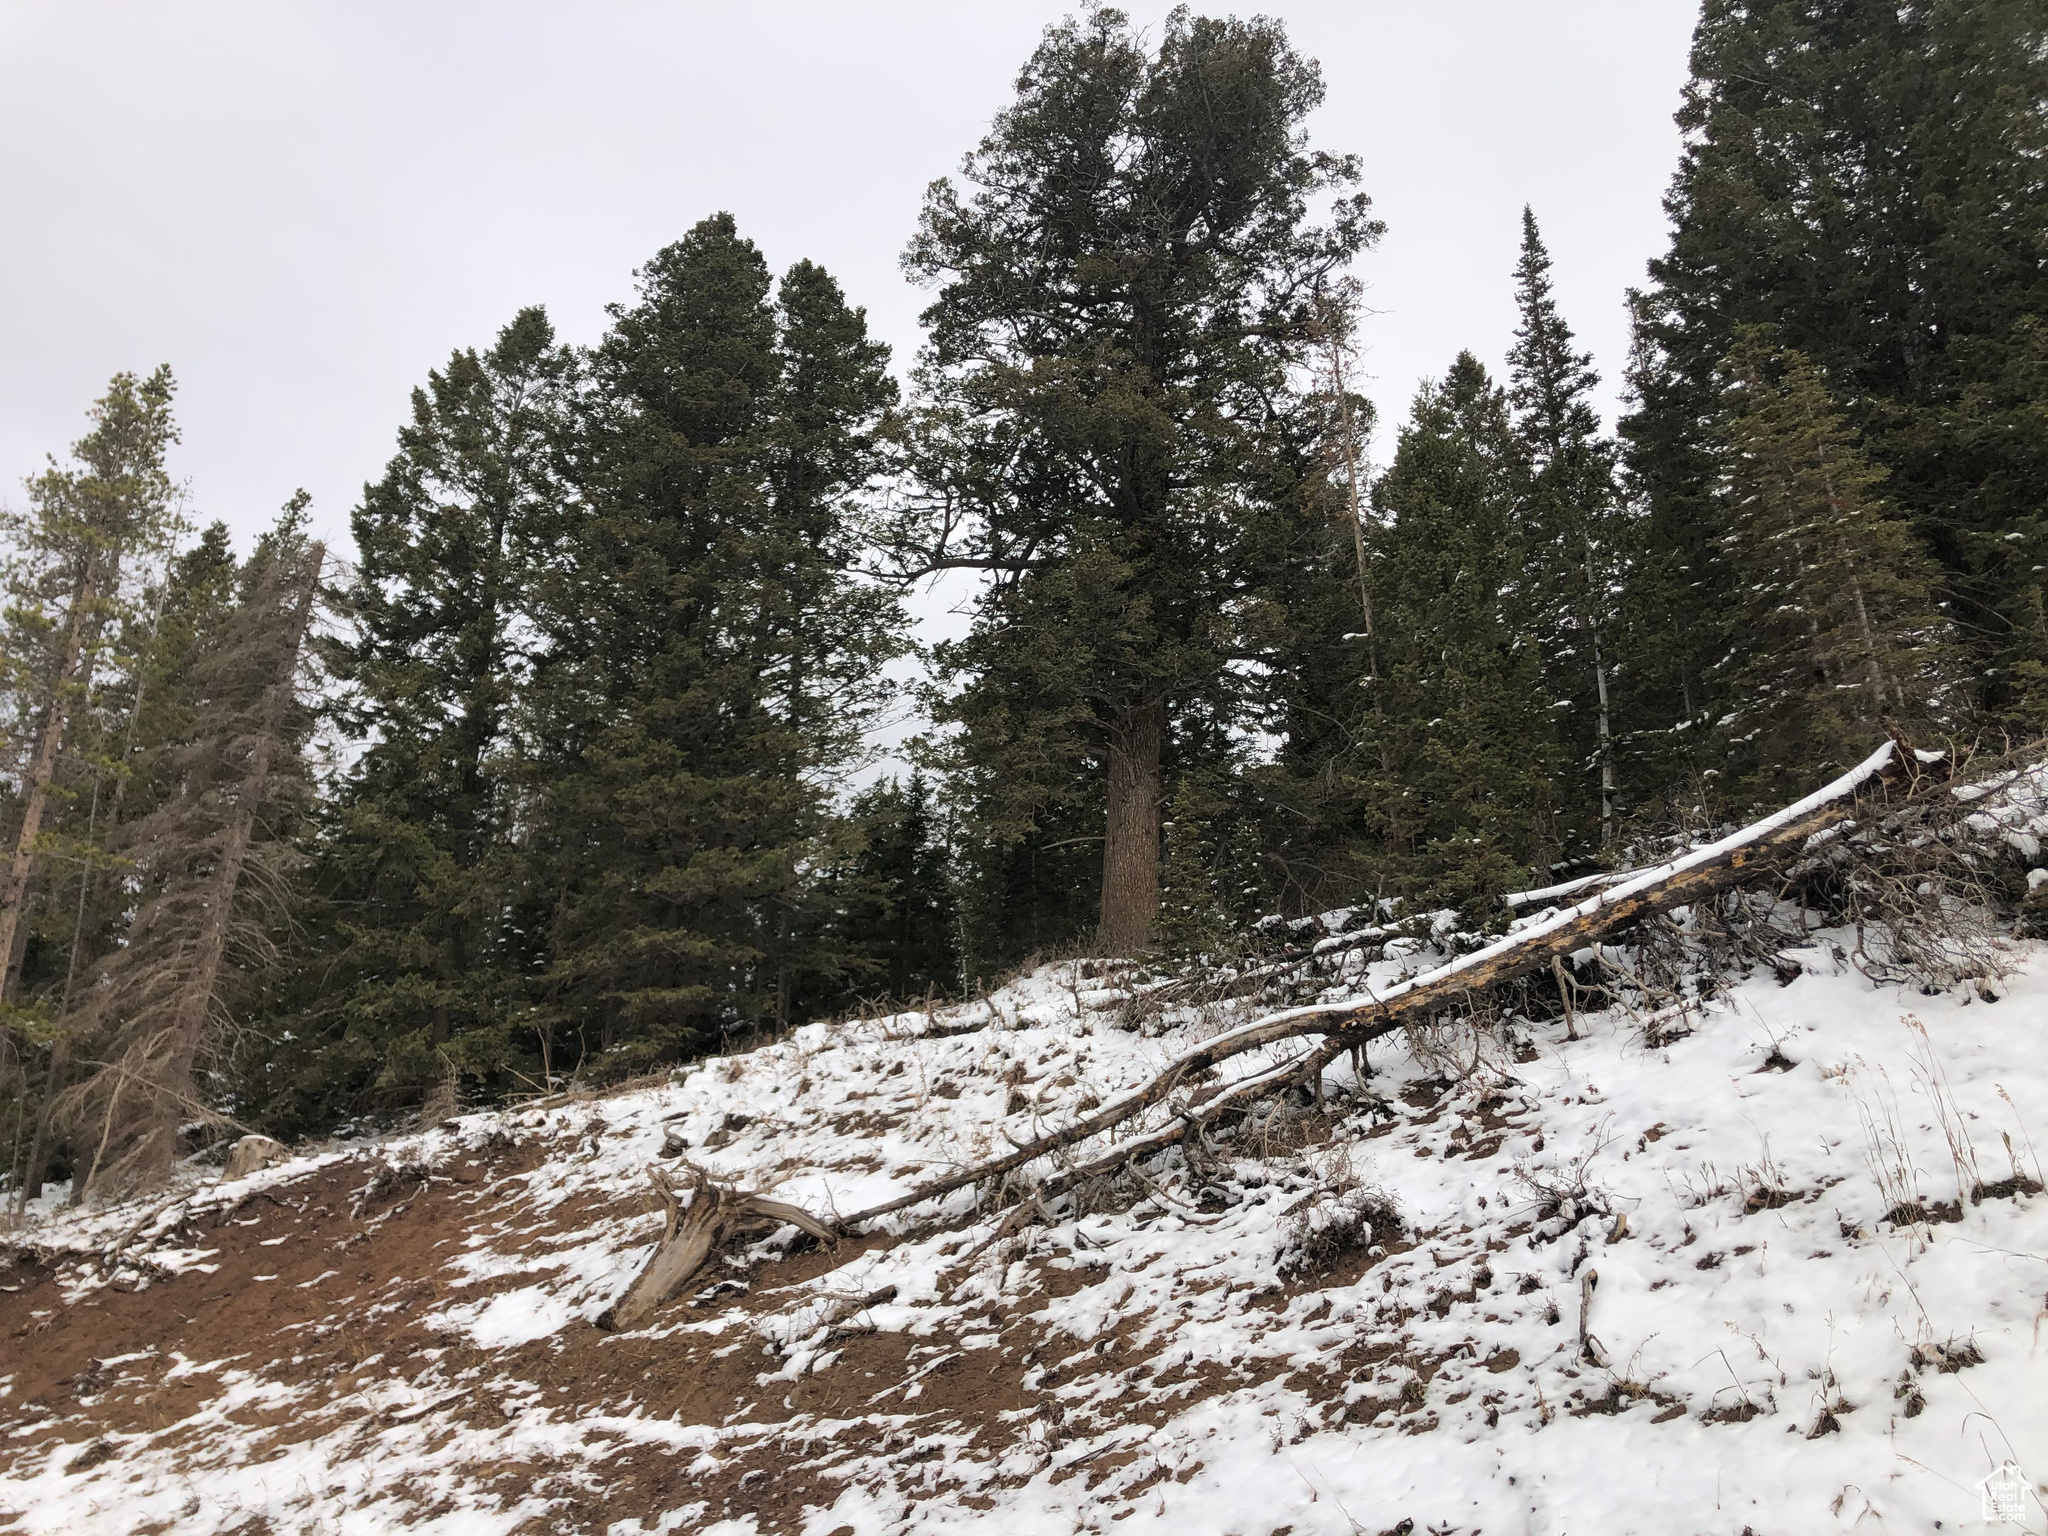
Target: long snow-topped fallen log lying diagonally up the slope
pixel 1682 882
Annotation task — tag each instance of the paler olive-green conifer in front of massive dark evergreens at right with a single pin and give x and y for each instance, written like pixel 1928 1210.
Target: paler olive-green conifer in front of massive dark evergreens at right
pixel 1838 632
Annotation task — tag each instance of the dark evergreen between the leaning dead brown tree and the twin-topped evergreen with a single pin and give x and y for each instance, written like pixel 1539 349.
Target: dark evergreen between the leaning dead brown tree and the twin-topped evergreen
pixel 423 941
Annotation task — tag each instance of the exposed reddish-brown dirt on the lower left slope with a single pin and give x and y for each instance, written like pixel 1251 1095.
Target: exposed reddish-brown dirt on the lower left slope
pixel 327 1283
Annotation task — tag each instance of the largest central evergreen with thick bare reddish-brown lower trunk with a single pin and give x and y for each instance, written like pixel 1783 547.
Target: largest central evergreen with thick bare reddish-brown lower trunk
pixel 1115 431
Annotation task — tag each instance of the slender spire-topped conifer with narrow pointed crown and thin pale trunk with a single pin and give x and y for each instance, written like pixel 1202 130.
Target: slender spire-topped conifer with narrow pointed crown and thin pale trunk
pixel 1572 538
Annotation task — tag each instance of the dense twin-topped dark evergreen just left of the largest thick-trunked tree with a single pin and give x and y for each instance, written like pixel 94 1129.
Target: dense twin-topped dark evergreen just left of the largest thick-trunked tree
pixel 710 654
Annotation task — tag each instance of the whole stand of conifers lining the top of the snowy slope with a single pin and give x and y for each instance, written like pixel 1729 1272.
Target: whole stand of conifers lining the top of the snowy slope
pixel 564 769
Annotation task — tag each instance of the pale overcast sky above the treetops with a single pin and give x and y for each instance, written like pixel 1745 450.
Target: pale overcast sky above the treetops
pixel 304 208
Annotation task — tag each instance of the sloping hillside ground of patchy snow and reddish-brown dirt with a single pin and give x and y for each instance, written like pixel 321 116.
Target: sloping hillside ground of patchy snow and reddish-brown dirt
pixel 1770 1265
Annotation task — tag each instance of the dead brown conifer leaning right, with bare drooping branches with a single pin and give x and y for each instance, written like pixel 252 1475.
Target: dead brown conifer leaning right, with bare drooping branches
pixel 212 863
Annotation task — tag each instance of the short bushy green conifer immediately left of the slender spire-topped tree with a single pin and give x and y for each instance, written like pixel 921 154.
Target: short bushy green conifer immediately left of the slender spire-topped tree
pixel 1457 761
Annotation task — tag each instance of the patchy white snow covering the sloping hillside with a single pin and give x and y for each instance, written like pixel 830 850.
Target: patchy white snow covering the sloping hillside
pixel 1783 1349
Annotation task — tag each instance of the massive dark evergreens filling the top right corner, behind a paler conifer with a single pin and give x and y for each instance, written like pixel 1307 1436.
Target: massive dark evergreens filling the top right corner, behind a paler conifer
pixel 1873 181
